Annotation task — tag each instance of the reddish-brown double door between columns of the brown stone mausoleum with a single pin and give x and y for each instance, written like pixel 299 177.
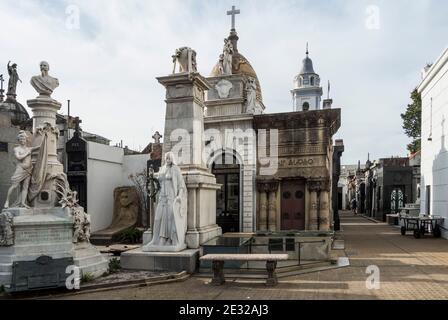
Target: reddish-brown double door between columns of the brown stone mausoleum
pixel 293 205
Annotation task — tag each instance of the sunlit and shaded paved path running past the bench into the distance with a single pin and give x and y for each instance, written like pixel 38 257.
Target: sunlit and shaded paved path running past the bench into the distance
pixel 409 269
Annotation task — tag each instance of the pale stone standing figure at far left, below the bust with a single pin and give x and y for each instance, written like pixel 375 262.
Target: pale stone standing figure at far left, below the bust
pixel 24 169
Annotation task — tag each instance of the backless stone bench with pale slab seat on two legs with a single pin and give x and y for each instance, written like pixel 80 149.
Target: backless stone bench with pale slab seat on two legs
pixel 218 261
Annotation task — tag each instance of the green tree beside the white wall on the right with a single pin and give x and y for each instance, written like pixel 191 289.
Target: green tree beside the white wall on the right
pixel 412 121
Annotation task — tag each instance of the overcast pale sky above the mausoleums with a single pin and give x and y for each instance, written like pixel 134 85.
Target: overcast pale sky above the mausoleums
pixel 371 51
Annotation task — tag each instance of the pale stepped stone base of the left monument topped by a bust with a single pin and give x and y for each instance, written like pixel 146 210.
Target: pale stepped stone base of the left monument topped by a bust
pixel 47 232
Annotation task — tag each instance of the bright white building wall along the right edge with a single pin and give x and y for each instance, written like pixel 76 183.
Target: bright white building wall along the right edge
pixel 434 166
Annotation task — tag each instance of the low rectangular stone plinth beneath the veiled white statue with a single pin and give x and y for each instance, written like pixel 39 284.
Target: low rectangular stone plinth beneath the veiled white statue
pixel 186 260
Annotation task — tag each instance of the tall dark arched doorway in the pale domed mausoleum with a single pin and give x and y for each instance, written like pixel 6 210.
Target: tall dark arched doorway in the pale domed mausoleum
pixel 227 170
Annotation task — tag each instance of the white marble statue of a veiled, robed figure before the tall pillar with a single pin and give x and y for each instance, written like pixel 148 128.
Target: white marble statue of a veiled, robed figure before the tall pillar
pixel 170 222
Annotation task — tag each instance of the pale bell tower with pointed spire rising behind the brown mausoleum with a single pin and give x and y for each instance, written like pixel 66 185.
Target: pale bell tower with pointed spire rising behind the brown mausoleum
pixel 307 92
